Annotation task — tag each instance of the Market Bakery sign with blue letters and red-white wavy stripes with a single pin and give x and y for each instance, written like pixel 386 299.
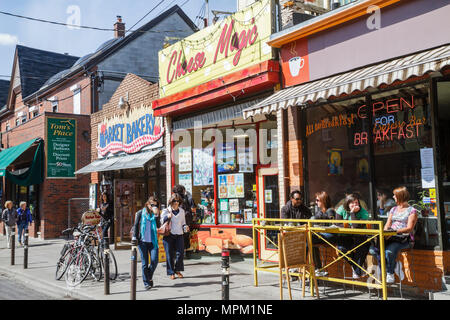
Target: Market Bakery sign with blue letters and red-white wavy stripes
pixel 129 133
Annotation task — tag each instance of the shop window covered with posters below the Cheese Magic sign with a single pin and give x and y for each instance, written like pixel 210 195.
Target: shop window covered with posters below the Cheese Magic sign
pixel 220 173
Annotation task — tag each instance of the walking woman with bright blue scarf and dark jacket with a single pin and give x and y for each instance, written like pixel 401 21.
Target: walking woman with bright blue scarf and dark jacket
pixel 145 232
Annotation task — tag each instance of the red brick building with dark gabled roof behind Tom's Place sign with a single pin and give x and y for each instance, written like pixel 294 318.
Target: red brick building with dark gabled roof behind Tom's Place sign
pixel 46 87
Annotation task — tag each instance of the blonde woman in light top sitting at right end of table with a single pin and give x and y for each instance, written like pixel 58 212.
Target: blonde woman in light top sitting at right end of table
pixel 401 218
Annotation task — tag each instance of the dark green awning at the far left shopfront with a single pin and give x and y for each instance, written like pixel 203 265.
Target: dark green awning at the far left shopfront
pixel 34 173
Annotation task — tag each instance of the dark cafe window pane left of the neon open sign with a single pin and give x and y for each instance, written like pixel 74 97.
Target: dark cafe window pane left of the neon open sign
pixel 337 152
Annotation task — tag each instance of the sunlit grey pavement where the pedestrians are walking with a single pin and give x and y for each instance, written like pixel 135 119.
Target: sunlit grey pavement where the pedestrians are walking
pixel 202 279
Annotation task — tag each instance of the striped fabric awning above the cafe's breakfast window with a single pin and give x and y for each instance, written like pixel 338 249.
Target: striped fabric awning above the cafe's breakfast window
pixel 414 65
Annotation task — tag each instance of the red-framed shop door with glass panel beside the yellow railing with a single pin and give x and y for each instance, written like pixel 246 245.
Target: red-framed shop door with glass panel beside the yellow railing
pixel 269 207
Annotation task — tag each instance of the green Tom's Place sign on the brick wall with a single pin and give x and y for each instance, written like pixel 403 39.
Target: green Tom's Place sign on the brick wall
pixel 61 147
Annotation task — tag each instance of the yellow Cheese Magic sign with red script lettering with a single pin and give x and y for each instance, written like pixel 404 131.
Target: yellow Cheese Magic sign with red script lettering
pixel 230 45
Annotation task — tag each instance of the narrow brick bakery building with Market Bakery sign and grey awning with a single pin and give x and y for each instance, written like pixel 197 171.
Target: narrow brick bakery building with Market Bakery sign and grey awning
pixel 135 169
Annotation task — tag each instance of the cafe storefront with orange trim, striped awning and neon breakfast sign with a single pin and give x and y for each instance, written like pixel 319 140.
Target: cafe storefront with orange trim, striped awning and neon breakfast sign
pixel 350 75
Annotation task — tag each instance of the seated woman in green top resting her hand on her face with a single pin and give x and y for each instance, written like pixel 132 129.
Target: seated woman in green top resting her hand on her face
pixel 352 210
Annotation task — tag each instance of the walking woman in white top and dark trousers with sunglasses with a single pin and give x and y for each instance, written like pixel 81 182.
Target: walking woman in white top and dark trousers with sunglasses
pixel 174 242
